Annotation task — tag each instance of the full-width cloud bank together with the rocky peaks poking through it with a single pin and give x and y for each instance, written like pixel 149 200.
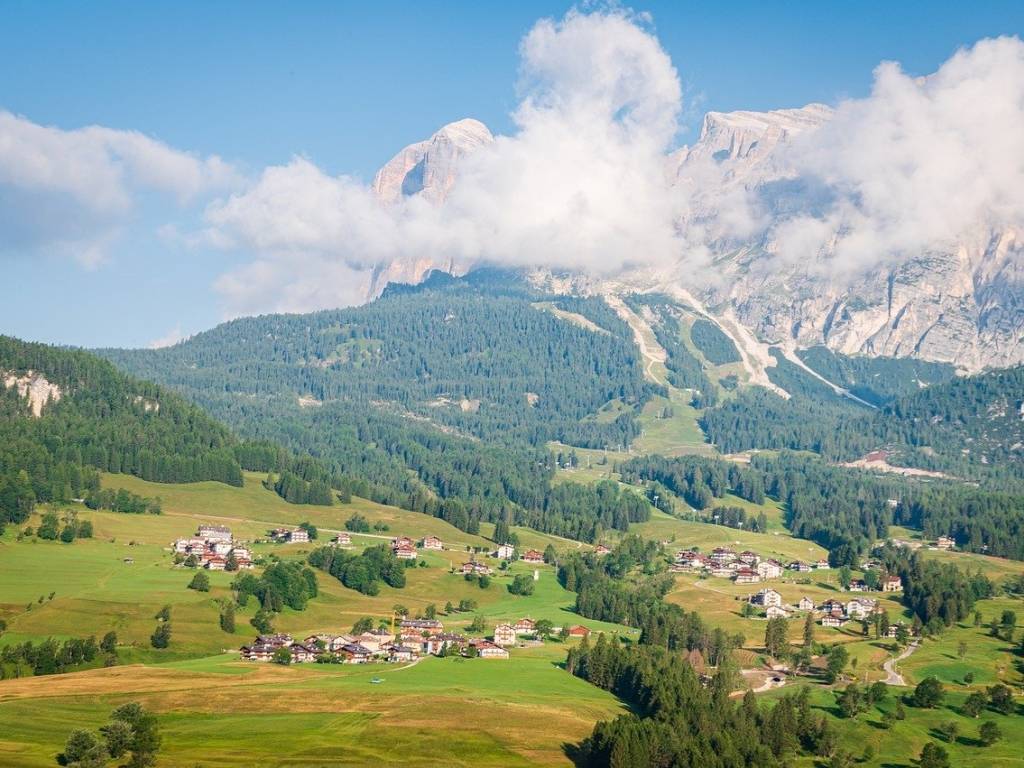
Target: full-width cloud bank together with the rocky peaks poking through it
pixel 590 180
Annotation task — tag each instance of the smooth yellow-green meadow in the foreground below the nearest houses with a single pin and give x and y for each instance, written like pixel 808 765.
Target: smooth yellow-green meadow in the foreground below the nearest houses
pixel 223 712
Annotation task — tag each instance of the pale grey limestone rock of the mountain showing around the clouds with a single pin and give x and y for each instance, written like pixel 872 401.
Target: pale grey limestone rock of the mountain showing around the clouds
pixel 961 303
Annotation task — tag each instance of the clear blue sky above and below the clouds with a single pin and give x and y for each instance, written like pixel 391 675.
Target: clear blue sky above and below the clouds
pixel 347 86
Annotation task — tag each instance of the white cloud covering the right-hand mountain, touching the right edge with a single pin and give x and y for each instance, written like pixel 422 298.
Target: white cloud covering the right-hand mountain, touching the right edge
pixel 922 163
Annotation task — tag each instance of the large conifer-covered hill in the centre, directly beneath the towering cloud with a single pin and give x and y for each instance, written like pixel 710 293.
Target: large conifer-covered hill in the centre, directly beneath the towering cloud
pixel 440 398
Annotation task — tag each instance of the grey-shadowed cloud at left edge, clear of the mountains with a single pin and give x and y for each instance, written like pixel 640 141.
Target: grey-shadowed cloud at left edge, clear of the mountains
pixel 72 191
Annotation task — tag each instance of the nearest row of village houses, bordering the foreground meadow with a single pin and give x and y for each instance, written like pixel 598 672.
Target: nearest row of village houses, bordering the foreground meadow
pixel 412 639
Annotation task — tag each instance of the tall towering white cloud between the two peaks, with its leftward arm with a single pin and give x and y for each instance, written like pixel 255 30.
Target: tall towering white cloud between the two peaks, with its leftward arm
pixel 580 185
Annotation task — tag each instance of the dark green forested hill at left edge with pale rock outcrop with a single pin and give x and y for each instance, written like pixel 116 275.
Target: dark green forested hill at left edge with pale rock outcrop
pixel 95 418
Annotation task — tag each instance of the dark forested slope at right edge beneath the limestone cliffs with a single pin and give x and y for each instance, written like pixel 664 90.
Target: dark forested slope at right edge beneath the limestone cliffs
pixel 970 428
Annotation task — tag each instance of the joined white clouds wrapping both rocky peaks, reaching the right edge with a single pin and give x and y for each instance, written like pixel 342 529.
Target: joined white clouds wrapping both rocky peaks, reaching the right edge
pixel 582 183
